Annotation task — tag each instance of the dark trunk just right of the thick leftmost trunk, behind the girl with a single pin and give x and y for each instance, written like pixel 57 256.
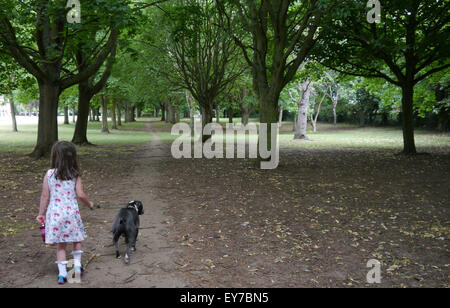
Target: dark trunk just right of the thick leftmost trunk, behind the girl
pixel 85 113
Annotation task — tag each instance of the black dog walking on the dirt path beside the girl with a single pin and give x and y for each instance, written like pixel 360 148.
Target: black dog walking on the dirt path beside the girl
pixel 127 224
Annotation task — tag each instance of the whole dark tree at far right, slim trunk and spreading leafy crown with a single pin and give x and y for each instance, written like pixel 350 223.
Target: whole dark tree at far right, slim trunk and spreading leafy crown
pixel 410 44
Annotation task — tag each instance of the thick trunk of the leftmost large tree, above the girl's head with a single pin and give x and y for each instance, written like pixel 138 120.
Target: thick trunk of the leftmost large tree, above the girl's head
pixel 48 119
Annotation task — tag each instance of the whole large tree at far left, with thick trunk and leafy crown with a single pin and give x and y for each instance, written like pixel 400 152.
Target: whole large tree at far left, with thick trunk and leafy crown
pixel 46 52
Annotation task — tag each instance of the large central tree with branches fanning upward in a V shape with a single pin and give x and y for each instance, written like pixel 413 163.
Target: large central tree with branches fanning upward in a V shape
pixel 282 33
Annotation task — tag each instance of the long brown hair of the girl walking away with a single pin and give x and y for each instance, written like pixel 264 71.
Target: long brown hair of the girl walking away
pixel 64 160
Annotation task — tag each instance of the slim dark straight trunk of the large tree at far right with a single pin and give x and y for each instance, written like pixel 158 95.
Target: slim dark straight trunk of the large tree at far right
pixel 409 146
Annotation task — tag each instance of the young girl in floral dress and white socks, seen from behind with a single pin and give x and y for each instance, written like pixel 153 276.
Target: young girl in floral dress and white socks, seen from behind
pixel 59 207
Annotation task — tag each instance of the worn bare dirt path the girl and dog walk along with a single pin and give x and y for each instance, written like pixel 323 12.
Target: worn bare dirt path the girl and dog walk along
pixel 153 265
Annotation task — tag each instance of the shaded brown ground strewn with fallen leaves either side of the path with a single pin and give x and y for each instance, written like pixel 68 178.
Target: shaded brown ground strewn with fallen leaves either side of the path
pixel 314 222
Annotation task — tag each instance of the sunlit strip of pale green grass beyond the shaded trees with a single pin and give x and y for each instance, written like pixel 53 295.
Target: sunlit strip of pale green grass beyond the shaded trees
pixel 328 136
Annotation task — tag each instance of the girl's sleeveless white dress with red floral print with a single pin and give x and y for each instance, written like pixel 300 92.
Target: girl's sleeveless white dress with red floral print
pixel 63 221
